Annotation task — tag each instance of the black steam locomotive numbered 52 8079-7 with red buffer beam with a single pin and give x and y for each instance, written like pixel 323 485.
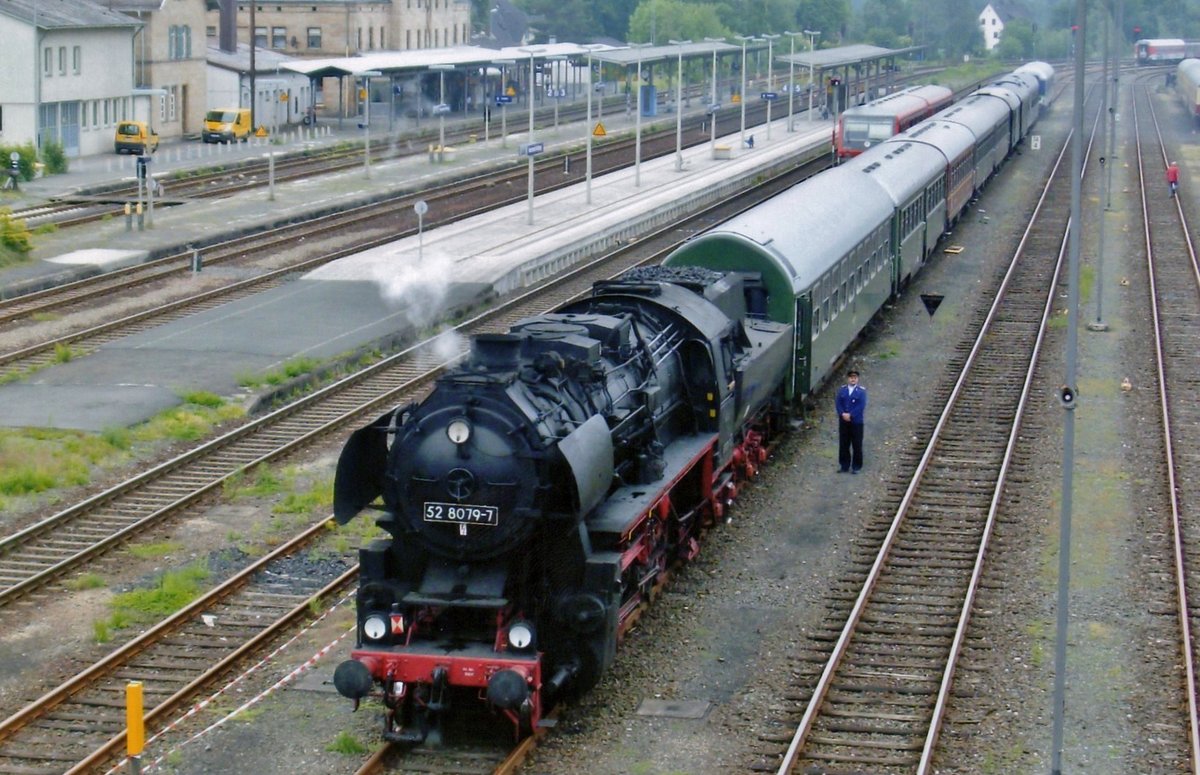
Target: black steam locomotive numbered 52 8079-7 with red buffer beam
pixel 539 495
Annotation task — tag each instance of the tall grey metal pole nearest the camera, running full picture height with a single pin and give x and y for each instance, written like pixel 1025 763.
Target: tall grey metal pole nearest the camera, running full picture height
pixel 1069 435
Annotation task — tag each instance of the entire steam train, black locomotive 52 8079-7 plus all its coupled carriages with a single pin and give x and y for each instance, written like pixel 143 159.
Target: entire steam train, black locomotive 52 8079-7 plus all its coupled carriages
pixel 539 496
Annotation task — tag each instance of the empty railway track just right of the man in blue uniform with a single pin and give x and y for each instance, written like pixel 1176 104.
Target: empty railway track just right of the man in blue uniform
pixel 875 694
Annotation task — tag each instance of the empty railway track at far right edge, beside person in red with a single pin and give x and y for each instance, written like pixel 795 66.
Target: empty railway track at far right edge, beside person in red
pixel 1174 274
